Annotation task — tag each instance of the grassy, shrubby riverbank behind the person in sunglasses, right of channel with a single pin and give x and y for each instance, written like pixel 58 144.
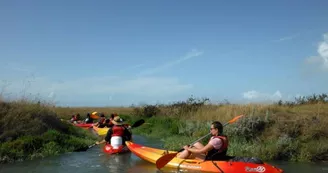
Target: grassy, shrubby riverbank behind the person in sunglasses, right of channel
pixel 290 131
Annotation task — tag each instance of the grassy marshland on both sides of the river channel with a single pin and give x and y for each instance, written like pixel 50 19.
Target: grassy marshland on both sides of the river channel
pixel 294 131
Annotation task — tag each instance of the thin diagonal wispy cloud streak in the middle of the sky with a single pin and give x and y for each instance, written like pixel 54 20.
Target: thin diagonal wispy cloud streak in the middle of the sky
pixel 191 54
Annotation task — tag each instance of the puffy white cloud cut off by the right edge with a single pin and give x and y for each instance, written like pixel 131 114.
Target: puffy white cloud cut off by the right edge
pixel 322 59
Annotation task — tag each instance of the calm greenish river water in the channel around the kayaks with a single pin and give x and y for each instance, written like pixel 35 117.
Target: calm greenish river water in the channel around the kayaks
pixel 94 160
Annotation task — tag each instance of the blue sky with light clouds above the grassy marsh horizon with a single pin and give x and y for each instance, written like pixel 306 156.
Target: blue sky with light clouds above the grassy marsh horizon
pixel 118 53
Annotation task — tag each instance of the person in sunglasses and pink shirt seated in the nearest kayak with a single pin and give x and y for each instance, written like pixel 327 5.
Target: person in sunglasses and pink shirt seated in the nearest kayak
pixel 216 148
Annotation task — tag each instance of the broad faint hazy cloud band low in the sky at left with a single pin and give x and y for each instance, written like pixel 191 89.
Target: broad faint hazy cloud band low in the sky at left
pixel 153 87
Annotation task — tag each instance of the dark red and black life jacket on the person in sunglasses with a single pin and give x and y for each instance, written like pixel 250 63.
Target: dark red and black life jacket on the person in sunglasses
pixel 221 153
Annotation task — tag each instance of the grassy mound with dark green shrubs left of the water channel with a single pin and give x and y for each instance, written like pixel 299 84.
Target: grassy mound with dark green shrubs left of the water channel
pixel 32 130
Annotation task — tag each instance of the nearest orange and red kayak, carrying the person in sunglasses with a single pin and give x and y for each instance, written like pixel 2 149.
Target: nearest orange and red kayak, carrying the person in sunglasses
pixel 152 154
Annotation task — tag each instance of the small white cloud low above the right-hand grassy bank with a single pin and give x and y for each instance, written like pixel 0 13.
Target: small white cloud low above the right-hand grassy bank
pixel 259 96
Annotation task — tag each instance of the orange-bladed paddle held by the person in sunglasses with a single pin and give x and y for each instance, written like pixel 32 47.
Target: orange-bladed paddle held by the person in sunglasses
pixel 162 161
